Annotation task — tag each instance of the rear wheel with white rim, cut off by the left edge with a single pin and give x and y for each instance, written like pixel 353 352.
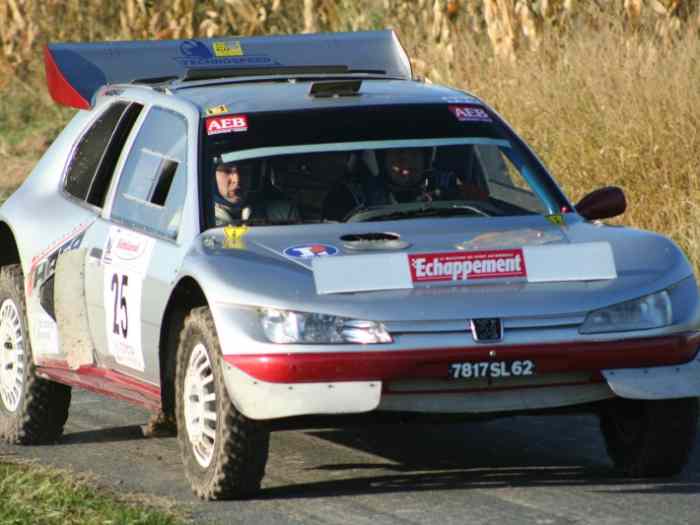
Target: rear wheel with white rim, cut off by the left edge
pixel 32 410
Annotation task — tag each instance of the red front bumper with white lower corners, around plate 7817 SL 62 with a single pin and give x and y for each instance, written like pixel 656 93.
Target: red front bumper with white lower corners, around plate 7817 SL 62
pixel 282 385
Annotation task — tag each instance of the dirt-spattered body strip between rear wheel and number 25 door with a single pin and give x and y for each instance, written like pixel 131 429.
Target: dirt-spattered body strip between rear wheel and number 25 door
pixel 71 309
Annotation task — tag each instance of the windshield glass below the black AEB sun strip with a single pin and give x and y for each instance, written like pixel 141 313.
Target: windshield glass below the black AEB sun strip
pixel 487 174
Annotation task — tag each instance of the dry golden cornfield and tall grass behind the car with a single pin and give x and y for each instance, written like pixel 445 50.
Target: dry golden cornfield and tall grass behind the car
pixel 606 91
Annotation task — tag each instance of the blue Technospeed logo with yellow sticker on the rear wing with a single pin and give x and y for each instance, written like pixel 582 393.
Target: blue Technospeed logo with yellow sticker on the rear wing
pixel 195 53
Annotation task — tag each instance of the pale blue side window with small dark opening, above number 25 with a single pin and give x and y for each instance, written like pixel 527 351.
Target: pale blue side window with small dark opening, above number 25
pixel 151 190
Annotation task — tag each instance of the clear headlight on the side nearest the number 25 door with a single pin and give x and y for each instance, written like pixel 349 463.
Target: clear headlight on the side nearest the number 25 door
pixel 285 326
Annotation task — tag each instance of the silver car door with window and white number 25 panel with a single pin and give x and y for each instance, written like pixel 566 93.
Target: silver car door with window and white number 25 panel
pixel 136 255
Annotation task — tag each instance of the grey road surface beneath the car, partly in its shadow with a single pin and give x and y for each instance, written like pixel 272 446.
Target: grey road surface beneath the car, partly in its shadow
pixel 545 471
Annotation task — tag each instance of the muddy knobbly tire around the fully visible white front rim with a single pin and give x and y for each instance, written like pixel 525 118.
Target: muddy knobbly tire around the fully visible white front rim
pixel 241 445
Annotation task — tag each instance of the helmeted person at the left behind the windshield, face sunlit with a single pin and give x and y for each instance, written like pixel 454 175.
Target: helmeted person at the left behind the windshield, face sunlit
pixel 231 196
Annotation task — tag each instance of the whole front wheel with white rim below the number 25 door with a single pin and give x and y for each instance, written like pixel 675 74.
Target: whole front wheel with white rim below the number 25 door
pixel 224 452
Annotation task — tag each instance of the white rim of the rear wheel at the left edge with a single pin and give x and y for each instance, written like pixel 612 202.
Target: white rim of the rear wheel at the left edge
pixel 11 355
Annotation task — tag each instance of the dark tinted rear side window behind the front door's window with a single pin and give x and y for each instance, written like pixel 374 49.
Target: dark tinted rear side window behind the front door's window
pixel 92 166
